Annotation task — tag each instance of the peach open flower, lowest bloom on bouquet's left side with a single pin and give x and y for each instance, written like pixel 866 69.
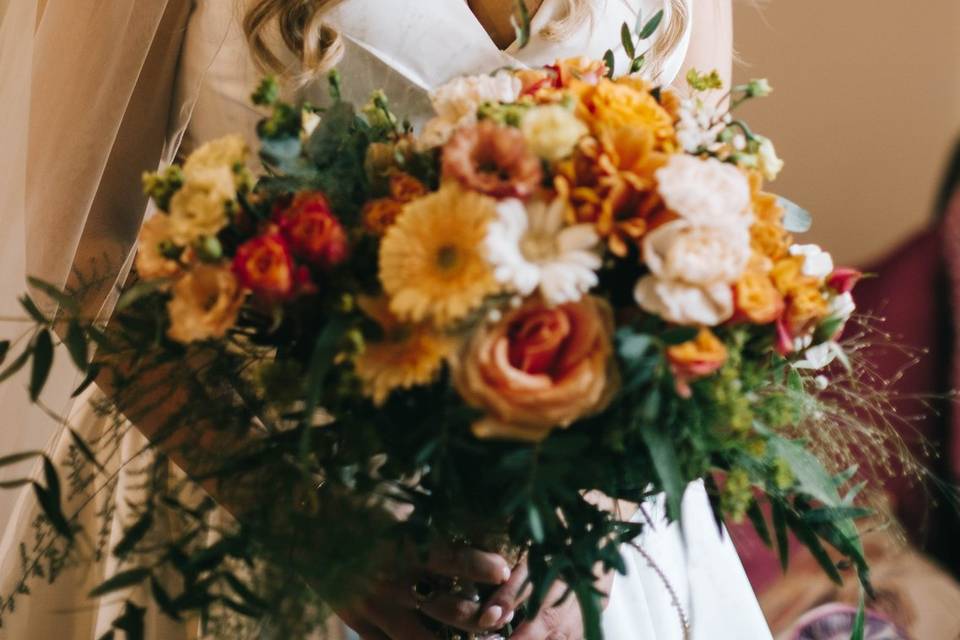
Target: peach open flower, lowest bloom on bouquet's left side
pixel 204 305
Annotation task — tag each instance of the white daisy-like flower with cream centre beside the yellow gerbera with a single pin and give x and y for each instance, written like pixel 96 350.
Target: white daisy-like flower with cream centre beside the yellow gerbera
pixel 529 249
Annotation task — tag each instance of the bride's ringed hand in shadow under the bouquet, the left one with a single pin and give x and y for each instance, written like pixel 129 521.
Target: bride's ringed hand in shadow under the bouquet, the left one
pixel 392 609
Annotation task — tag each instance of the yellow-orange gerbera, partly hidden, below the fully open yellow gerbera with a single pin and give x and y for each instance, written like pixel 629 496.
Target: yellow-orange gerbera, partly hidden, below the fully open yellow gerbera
pixel 408 355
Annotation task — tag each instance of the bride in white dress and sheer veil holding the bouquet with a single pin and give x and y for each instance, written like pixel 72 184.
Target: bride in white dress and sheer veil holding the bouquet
pixel 86 109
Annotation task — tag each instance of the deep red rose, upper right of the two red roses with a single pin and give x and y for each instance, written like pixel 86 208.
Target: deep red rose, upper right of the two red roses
pixel 314 233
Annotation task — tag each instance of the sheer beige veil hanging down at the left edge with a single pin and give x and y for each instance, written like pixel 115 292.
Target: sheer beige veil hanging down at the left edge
pixel 86 104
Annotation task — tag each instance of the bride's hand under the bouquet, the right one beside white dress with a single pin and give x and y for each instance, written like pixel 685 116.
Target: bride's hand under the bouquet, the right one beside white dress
pixel 560 622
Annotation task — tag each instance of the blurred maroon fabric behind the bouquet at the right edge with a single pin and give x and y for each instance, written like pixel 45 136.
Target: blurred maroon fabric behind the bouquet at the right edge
pixel 910 293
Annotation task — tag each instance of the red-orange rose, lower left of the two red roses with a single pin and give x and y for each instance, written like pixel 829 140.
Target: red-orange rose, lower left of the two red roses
pixel 264 266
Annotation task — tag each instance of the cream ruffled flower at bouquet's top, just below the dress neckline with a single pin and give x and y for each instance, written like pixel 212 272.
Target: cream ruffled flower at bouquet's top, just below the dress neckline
pixel 456 103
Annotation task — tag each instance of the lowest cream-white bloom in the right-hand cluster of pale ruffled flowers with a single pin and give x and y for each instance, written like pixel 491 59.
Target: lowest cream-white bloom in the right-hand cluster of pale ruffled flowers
pixel 684 303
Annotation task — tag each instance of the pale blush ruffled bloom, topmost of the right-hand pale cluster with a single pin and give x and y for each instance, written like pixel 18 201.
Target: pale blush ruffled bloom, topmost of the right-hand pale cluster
pixel 705 191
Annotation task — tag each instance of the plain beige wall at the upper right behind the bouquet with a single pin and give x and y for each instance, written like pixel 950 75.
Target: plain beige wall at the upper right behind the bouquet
pixel 865 112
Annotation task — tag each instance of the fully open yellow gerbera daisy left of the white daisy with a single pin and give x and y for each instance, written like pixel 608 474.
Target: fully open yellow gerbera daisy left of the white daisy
pixel 432 263
